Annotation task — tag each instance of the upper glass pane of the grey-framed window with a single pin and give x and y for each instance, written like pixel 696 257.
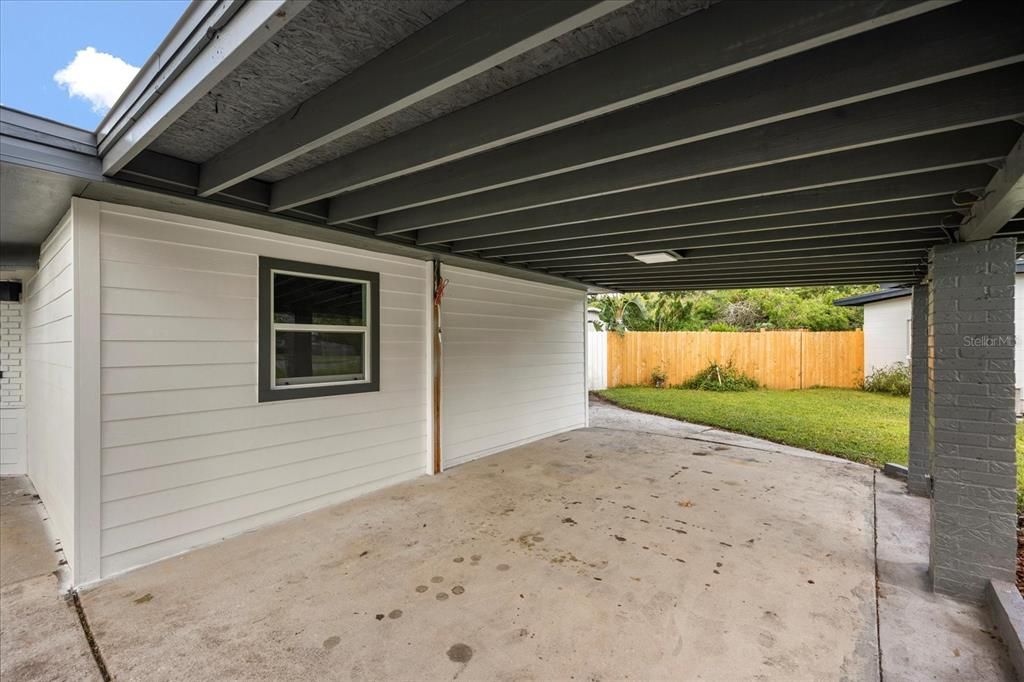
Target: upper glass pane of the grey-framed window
pixel 301 301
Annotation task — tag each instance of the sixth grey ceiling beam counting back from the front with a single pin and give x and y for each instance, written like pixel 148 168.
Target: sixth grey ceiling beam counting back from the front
pixel 864 199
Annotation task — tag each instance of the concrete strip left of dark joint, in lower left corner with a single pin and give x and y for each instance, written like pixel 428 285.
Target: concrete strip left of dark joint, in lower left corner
pixel 40 634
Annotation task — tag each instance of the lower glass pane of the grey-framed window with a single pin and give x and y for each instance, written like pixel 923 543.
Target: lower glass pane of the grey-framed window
pixel 315 358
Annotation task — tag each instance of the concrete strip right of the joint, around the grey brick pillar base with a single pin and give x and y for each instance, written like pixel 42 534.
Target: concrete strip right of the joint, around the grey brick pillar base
pixel 926 636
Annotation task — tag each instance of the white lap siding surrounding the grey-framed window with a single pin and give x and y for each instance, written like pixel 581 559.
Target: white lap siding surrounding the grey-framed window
pixel 189 454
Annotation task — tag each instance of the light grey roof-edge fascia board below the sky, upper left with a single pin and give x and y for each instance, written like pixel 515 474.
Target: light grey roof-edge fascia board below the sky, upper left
pixel 190 76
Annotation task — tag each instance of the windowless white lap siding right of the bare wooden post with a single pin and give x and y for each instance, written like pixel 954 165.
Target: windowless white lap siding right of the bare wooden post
pixel 514 364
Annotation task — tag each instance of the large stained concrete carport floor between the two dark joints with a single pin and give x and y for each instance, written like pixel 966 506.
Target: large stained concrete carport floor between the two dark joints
pixel 605 553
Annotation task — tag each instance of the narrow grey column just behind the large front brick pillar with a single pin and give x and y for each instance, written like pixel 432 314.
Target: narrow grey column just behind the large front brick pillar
pixel 919 460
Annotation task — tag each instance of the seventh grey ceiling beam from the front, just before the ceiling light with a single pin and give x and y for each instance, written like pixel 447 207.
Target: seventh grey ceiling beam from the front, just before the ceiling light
pixel 645 239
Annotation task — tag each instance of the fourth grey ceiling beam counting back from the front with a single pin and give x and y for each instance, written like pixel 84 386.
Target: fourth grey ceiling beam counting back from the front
pixel 987 98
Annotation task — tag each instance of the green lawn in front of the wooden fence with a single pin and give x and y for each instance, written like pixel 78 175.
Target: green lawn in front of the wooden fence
pixel 865 428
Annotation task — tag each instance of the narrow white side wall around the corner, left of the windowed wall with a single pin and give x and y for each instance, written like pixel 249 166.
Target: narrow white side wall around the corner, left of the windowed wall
pixel 49 308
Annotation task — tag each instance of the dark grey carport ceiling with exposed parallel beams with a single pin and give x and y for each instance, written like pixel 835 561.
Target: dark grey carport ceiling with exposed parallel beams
pixel 766 144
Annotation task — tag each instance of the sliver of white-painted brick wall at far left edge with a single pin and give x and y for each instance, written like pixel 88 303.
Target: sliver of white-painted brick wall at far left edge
pixel 12 389
